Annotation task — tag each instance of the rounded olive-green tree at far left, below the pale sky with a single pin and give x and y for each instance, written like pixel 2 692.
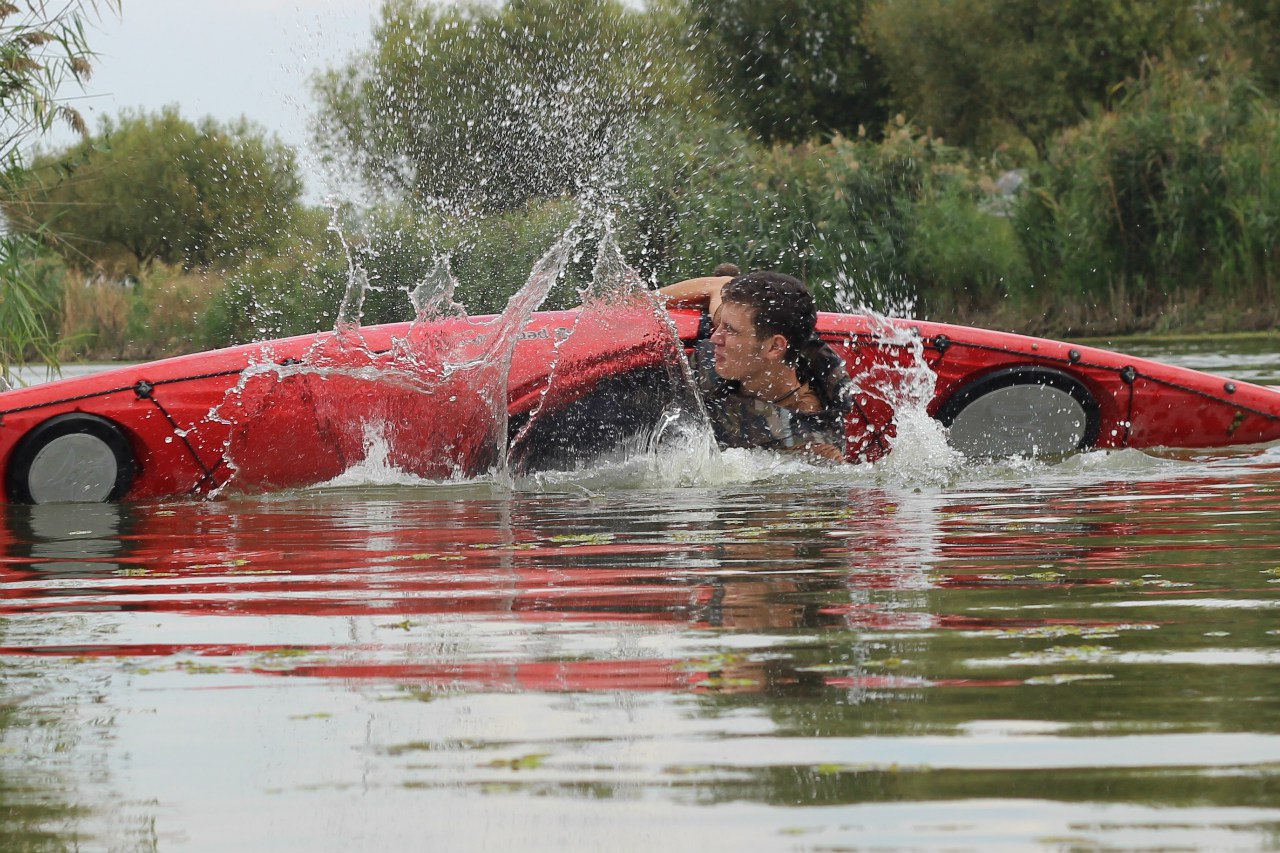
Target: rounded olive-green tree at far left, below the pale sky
pixel 158 188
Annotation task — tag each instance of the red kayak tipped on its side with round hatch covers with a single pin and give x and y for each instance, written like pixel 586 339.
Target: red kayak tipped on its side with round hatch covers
pixel 303 410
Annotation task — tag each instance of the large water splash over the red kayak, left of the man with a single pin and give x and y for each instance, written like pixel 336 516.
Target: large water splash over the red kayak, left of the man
pixel 435 402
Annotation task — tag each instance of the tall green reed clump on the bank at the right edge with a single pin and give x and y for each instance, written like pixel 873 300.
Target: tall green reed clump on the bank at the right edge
pixel 1172 194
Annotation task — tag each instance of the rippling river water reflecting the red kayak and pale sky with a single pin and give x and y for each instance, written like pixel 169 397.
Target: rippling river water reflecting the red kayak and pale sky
pixel 746 654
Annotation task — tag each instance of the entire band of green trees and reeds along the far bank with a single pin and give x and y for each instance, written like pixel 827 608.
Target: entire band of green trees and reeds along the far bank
pixel 1089 168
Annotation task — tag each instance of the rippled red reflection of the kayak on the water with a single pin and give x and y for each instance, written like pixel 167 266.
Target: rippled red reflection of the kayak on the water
pixel 451 595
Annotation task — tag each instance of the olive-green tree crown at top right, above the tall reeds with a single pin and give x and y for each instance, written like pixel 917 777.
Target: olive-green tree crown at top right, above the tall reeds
pixel 968 69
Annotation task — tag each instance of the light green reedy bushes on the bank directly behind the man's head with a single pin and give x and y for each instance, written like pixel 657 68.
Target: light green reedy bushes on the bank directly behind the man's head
pixel 875 223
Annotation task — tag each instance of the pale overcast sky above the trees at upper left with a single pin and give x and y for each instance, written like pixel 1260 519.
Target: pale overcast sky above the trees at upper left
pixel 222 58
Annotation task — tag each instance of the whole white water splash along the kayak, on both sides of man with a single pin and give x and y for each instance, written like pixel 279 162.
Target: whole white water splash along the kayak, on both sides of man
pixel 436 399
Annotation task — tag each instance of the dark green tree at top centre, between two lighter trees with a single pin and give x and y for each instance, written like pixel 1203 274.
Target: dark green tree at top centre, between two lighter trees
pixel 793 71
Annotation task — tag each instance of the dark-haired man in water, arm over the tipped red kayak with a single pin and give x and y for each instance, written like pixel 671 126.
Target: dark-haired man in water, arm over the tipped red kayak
pixel 766 378
